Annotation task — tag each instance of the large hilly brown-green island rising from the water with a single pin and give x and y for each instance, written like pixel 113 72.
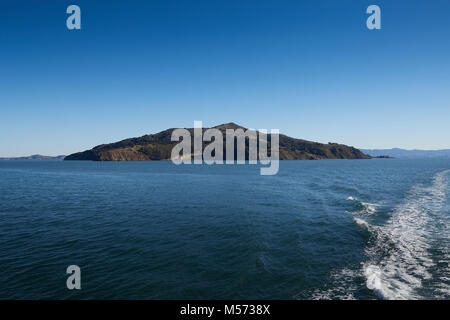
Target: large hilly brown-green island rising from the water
pixel 159 147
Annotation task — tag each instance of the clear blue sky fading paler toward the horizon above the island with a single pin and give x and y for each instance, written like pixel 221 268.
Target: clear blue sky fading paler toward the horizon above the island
pixel 309 68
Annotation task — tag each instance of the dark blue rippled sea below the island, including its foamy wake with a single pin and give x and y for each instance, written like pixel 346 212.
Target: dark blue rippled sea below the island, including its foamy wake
pixel 351 229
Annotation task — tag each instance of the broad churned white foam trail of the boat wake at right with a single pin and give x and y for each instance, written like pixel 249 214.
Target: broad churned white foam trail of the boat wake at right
pixel 400 255
